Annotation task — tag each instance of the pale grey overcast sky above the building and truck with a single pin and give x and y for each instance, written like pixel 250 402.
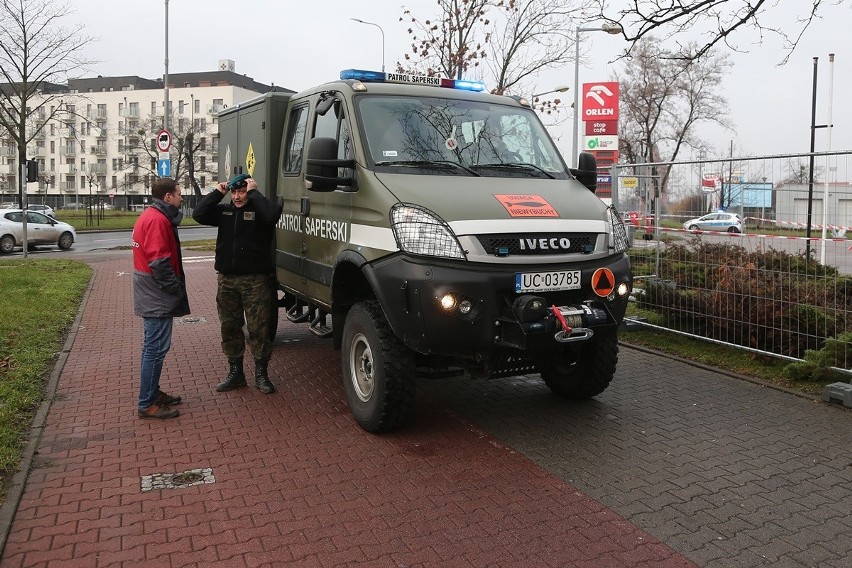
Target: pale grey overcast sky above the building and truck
pixel 297 44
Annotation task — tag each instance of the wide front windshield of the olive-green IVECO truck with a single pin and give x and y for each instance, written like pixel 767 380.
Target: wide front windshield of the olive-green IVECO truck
pixel 416 135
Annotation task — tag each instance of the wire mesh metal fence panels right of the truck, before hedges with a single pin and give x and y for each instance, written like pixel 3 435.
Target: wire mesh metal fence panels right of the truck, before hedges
pixel 781 286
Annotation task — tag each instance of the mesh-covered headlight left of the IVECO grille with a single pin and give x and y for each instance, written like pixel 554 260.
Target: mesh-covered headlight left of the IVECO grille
pixel 419 231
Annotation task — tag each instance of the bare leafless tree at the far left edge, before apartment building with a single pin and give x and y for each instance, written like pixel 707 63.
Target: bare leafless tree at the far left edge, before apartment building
pixel 37 56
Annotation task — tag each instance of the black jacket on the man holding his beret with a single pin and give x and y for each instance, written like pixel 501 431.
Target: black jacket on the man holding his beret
pixel 245 240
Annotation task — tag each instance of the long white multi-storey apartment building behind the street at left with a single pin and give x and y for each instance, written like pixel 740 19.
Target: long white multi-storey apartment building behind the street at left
pixel 100 143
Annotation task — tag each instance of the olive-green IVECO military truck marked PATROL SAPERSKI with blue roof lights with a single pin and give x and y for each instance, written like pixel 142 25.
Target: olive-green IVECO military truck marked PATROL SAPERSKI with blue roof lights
pixel 431 229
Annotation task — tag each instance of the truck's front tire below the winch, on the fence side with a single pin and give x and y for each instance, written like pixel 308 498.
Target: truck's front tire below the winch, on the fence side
pixel 589 376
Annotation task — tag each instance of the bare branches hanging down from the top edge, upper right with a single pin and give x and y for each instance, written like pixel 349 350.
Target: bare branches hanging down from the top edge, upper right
pixel 717 20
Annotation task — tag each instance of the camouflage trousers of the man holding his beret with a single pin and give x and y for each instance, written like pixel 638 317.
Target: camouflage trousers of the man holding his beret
pixel 249 299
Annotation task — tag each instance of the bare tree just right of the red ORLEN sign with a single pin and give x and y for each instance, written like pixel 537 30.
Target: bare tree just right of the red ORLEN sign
pixel 663 100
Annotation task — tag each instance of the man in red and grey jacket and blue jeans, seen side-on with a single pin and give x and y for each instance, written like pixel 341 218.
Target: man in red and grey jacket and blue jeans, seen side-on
pixel 159 291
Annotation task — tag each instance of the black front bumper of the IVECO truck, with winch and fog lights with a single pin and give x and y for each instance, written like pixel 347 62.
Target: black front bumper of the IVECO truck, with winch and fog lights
pixel 450 309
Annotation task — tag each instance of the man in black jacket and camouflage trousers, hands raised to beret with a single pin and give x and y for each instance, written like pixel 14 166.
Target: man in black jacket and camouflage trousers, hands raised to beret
pixel 244 264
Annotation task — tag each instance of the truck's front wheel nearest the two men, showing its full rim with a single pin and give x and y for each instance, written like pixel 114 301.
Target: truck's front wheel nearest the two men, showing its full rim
pixel 377 369
